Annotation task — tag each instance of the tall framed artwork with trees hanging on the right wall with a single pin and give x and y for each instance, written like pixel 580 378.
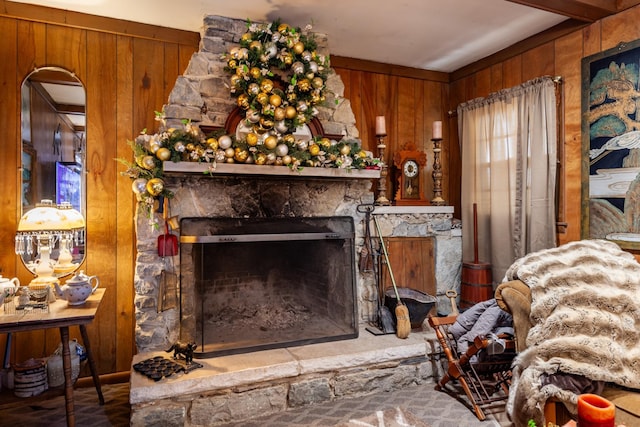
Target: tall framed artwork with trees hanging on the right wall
pixel 611 145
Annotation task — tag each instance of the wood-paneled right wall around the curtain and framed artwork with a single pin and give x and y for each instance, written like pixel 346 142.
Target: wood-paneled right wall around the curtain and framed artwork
pixel 560 57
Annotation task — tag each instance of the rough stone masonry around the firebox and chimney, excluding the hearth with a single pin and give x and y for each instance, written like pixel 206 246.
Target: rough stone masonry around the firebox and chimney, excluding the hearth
pixel 201 96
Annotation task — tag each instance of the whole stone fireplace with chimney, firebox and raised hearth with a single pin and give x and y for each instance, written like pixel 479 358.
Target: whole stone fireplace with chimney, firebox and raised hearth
pixel 298 367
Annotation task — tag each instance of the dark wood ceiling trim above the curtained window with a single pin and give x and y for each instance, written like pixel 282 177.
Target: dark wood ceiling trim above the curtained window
pixel 553 33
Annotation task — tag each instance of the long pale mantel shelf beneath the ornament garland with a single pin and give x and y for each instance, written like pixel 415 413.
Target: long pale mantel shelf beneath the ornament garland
pixel 243 169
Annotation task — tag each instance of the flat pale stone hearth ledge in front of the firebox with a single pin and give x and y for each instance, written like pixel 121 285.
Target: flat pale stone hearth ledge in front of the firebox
pixel 245 370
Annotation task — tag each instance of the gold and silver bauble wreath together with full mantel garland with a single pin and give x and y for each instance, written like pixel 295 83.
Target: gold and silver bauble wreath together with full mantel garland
pixel 278 79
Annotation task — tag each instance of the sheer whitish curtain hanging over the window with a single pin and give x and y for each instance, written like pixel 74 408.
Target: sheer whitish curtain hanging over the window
pixel 509 170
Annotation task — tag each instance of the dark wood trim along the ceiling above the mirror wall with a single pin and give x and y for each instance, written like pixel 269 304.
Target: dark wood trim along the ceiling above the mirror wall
pixel 85 21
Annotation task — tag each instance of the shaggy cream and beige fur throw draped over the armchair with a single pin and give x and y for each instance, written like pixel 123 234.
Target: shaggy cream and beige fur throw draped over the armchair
pixel 585 313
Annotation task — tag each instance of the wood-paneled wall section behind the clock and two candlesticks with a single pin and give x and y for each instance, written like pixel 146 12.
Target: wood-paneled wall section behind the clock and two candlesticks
pixel 411 100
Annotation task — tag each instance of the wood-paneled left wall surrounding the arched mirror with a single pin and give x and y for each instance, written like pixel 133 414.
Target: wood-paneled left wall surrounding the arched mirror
pixel 126 78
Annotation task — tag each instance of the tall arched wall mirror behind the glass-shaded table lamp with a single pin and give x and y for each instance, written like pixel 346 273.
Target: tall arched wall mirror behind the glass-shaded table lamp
pixel 53 136
